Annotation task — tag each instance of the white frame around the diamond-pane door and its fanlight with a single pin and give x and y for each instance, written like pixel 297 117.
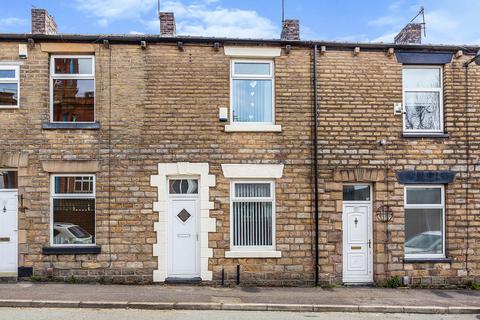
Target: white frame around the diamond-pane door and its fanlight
pixel 170 242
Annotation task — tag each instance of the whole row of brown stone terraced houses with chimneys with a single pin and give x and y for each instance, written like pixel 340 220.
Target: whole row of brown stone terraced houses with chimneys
pixel 138 159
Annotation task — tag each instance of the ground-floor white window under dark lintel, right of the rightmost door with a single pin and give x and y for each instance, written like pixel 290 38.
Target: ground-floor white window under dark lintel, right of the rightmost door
pixel 424 222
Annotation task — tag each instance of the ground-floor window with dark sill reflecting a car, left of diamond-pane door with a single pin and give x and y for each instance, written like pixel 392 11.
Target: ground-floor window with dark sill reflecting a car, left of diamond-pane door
pixel 72 204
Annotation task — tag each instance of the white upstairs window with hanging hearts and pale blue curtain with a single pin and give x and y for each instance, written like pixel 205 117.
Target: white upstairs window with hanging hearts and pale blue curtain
pixel 252 92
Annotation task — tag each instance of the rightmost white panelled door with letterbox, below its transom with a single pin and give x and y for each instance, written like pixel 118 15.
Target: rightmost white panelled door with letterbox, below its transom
pixel 357 242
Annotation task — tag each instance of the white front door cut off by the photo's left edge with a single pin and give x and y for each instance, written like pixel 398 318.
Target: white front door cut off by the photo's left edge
pixel 8 233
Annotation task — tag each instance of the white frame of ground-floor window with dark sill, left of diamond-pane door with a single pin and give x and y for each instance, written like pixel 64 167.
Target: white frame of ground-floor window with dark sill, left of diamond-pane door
pixel 54 195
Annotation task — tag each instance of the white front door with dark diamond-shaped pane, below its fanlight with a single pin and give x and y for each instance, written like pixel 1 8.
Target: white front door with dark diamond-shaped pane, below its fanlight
pixel 183 233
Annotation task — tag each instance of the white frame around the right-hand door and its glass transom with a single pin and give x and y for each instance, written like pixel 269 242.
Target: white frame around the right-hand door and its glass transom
pixel 369 232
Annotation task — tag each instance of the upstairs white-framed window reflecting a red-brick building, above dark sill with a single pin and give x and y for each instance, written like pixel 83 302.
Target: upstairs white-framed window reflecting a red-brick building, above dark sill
pixel 72 88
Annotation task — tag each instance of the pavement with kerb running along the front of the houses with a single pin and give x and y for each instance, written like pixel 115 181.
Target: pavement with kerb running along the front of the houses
pixel 182 297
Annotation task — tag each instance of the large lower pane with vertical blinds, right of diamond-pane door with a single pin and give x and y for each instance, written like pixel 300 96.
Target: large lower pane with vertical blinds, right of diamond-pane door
pixel 252 224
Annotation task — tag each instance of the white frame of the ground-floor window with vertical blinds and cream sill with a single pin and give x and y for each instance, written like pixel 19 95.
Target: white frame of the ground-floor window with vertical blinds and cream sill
pixel 271 199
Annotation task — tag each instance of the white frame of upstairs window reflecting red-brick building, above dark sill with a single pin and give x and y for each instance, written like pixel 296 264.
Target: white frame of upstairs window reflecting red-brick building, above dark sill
pixel 61 76
